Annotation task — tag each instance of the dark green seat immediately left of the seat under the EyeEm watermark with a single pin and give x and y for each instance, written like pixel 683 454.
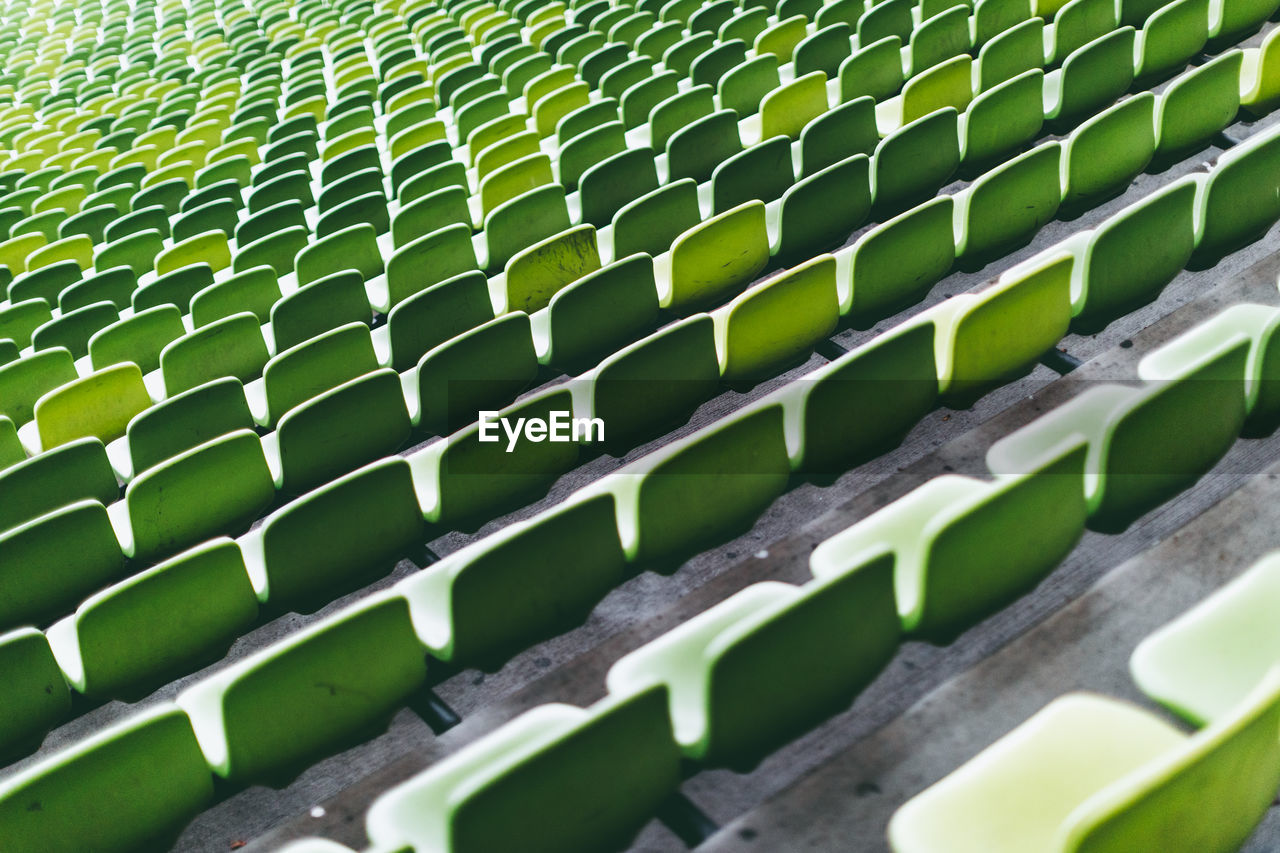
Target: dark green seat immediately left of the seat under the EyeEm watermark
pixel 337 537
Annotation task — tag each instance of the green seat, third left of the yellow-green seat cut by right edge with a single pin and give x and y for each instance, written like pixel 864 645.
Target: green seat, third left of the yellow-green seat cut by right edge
pixel 1008 206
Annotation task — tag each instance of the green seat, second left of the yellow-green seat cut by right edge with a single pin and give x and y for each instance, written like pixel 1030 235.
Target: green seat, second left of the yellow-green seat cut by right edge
pixel 1108 152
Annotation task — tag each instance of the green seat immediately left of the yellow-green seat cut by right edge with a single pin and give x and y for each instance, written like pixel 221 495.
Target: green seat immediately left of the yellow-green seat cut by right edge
pixel 1199 106
